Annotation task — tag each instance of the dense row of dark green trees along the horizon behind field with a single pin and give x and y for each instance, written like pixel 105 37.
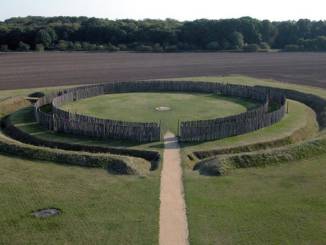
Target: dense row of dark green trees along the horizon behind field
pixel 82 33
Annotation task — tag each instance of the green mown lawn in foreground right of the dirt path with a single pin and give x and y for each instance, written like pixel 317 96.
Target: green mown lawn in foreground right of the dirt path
pixel 274 205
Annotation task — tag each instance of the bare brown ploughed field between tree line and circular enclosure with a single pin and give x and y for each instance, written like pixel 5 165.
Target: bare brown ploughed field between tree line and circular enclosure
pixel 27 70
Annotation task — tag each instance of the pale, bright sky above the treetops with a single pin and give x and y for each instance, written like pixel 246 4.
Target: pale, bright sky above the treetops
pixel 176 9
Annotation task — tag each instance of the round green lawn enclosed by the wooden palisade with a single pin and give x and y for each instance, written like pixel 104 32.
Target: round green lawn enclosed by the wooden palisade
pixel 141 107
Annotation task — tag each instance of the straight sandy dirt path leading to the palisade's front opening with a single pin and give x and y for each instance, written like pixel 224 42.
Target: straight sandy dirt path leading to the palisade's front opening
pixel 173 219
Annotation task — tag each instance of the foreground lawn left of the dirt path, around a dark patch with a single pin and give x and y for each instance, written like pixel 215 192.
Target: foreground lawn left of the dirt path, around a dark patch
pixel 98 208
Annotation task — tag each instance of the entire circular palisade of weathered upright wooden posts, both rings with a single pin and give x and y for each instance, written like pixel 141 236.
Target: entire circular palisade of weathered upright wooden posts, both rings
pixel 72 123
